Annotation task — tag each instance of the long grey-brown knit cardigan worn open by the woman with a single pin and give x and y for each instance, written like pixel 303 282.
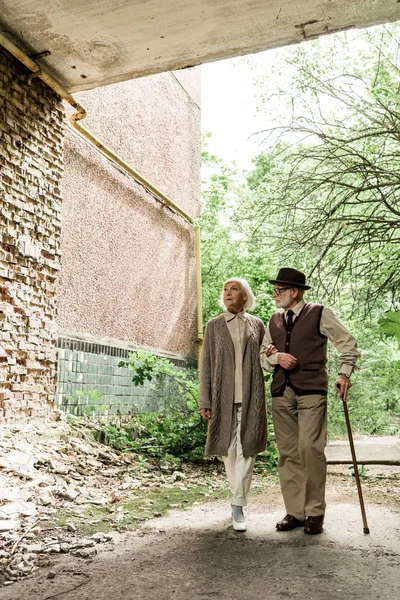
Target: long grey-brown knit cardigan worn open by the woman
pixel 217 387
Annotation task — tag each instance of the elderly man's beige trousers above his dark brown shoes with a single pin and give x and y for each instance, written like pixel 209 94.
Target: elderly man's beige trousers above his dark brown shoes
pixel 300 424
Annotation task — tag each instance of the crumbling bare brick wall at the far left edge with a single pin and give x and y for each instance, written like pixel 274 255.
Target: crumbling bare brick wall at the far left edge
pixel 31 137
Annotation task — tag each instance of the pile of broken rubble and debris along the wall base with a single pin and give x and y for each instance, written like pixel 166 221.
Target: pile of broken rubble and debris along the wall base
pixel 55 468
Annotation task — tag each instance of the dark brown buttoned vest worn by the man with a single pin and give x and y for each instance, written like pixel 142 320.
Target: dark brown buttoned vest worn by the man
pixel 308 345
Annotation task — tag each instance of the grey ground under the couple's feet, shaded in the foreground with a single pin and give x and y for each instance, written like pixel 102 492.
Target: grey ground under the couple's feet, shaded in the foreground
pixel 194 554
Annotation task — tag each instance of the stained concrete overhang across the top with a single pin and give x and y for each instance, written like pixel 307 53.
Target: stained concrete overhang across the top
pixel 86 44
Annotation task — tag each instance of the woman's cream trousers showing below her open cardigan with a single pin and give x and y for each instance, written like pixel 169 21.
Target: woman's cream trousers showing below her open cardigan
pixel 238 468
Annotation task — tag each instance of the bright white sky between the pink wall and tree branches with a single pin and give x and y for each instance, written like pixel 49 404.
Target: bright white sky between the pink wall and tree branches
pixel 231 108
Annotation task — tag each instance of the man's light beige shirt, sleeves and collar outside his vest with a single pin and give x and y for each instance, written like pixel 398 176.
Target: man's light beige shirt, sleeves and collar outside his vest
pixel 333 329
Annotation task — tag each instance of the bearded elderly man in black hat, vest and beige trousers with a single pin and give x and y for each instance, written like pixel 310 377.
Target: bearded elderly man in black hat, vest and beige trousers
pixel 294 348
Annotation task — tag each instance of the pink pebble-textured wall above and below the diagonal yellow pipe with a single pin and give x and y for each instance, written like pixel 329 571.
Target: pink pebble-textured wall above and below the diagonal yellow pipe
pixel 128 264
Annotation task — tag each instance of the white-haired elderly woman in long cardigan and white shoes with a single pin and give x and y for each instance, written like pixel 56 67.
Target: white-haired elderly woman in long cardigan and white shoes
pixel 232 391
